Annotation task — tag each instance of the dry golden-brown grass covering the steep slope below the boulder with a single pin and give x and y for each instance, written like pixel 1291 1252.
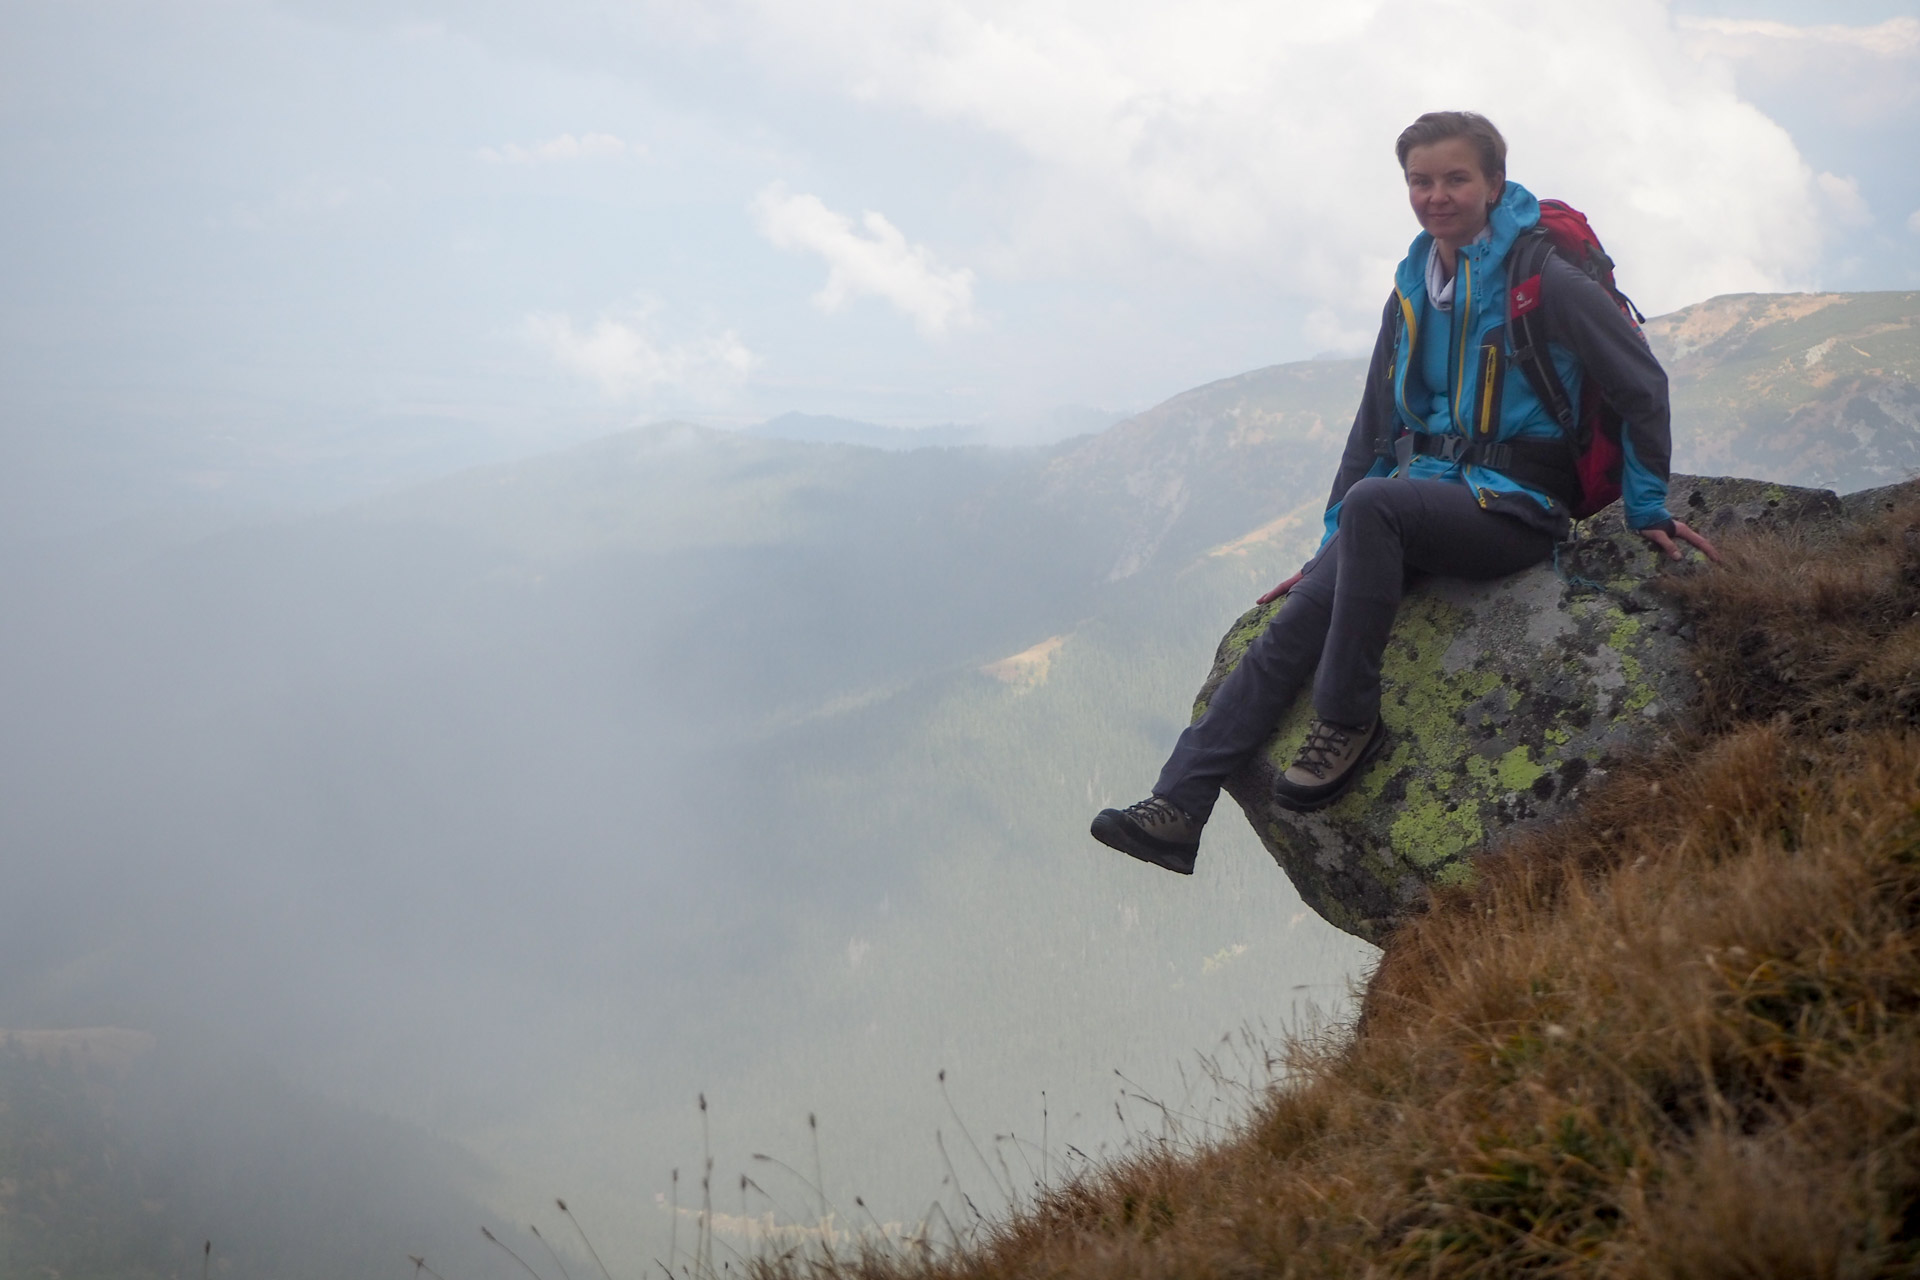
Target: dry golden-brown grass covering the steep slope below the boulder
pixel 1673 1037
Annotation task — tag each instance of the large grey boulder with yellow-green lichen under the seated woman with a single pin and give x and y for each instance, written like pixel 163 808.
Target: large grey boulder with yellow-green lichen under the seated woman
pixel 1502 701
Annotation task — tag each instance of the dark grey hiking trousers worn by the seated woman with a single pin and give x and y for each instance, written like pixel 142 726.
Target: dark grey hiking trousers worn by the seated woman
pixel 1337 619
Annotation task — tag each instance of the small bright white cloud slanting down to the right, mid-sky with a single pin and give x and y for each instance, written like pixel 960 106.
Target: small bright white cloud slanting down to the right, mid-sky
pixel 880 264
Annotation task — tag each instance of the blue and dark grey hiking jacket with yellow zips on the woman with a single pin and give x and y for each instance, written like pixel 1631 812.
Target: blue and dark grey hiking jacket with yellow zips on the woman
pixel 1587 339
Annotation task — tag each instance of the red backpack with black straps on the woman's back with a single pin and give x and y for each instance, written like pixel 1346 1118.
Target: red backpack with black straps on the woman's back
pixel 1593 429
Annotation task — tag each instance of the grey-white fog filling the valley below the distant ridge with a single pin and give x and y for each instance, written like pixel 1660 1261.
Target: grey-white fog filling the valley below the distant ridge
pixel 521 809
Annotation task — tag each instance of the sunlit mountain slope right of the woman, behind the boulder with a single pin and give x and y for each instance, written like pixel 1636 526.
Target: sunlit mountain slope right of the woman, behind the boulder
pixel 1806 389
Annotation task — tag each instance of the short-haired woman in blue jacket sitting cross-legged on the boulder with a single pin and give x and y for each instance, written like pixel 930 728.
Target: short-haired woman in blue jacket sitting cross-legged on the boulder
pixel 1416 504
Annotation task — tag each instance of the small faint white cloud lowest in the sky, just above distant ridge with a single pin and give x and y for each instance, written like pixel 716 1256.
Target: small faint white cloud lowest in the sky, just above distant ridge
pixel 627 360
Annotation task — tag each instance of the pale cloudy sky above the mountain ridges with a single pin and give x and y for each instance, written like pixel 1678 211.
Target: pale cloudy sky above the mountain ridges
pixel 354 243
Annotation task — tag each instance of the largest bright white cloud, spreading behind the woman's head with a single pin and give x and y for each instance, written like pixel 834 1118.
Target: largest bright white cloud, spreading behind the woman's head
pixel 1259 139
